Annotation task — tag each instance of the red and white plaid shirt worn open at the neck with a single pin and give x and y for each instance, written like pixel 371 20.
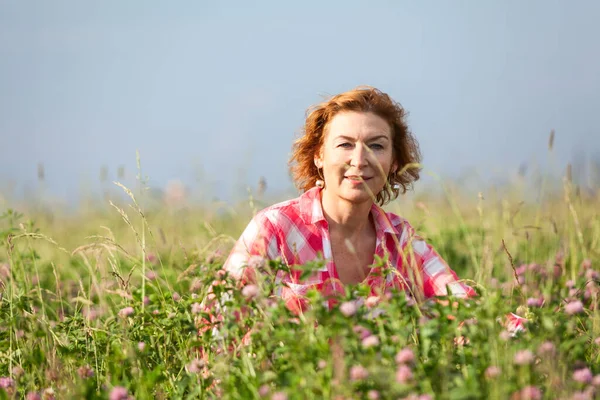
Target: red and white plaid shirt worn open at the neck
pixel 296 232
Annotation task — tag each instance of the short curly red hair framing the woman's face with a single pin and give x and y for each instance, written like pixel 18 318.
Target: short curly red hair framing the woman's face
pixel 362 99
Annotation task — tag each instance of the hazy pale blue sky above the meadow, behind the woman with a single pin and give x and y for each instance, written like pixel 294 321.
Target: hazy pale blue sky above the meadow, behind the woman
pixel 213 94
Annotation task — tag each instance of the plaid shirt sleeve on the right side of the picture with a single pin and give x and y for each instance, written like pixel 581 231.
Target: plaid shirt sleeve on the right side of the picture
pixel 435 276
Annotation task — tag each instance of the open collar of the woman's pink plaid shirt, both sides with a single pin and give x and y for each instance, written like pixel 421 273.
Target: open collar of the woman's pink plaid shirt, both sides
pixel 312 212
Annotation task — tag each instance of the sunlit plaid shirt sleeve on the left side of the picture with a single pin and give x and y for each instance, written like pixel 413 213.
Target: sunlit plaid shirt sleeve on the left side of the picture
pixel 257 244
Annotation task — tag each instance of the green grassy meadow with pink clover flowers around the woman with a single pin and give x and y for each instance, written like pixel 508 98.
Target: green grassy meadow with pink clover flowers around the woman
pixel 106 302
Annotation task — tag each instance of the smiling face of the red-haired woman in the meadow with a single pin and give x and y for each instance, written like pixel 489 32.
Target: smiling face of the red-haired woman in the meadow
pixel 356 156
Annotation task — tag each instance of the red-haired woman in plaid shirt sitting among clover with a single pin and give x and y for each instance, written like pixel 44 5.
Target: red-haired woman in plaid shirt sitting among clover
pixel 356 153
